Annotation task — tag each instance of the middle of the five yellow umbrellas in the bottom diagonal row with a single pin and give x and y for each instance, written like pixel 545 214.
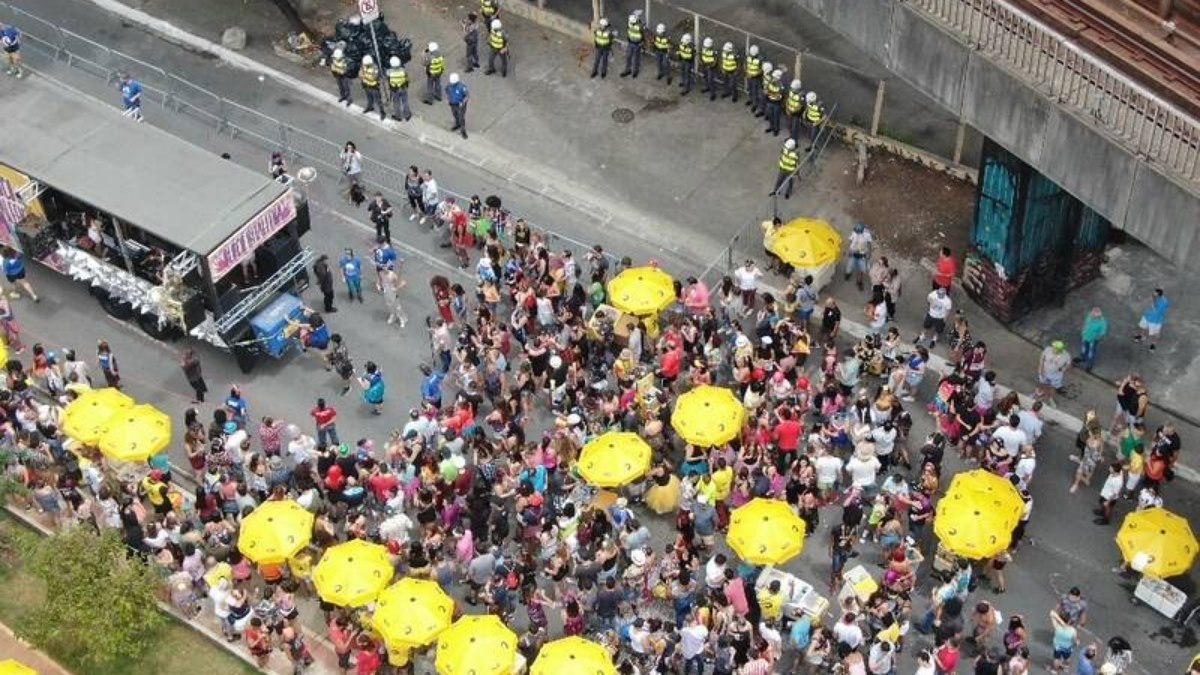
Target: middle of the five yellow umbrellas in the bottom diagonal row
pixel 413 613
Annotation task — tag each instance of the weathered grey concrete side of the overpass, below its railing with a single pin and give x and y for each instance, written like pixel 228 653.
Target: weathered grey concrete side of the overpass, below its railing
pixel 1135 196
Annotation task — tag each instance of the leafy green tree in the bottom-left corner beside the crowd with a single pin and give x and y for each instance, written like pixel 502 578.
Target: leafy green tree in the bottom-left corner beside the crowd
pixel 100 604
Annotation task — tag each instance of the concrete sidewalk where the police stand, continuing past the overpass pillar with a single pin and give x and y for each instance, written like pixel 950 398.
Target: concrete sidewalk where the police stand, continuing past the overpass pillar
pixel 547 129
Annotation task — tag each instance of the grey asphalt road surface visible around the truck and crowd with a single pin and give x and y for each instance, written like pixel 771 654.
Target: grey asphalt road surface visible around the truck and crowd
pixel 1067 548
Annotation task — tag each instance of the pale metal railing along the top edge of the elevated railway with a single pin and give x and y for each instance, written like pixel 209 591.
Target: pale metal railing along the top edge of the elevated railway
pixel 1141 121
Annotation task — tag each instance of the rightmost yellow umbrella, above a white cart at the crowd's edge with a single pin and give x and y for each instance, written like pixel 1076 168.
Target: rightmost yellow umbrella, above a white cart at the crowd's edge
pixel 1159 543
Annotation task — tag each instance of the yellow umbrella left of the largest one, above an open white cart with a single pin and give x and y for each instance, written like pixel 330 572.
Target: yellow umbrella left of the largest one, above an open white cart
pixel 766 533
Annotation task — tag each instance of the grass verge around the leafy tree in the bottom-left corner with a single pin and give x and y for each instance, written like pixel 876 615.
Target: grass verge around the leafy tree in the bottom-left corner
pixel 178 649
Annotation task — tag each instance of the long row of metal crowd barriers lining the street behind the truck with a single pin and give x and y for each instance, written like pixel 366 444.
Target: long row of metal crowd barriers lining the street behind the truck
pixel 179 97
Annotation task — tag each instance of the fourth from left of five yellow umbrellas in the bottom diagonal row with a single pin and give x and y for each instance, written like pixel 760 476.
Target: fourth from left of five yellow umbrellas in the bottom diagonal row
pixel 477 646
